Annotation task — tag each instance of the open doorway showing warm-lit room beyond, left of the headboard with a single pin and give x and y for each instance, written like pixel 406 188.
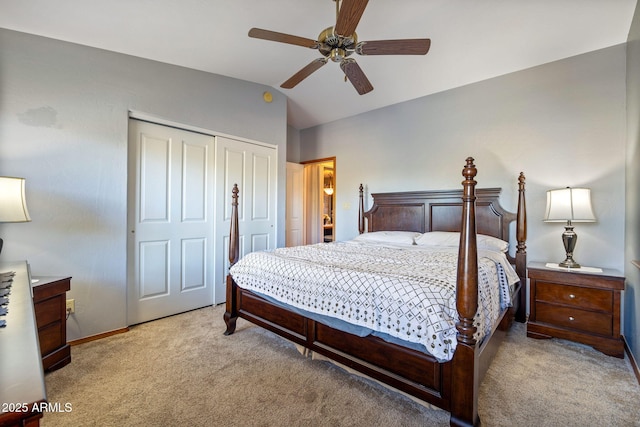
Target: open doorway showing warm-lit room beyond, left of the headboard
pixel 319 200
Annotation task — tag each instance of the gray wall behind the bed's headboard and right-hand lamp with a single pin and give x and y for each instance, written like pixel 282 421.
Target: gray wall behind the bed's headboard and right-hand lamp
pixel 562 124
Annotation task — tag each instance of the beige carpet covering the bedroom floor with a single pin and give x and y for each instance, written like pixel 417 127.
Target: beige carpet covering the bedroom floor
pixel 181 370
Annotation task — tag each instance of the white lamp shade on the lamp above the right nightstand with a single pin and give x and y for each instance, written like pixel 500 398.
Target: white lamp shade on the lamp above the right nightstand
pixel 569 204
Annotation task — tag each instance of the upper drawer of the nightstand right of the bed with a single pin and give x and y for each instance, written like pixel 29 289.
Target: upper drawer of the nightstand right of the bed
pixel 587 298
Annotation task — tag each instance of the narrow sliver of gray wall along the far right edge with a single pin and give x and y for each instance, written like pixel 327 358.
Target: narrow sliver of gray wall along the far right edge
pixel 632 249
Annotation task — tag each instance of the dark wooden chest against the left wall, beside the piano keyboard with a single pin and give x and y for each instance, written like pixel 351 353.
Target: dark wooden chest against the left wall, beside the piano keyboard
pixel 50 300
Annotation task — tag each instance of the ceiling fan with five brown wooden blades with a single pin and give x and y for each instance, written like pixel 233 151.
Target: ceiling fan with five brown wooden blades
pixel 339 42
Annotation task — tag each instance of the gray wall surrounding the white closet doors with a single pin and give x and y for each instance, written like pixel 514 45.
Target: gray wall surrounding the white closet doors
pixel 63 126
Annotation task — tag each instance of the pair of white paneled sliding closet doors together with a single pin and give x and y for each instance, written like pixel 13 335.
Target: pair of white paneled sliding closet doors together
pixel 179 215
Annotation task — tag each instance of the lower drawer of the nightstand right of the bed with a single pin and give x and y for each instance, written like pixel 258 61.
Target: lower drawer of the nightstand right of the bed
pixel 575 319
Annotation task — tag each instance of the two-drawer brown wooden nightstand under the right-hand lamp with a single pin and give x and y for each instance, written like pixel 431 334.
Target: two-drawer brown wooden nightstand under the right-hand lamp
pixel 576 305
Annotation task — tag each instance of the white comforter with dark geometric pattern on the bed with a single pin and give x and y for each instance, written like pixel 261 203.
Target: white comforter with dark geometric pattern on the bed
pixel 407 292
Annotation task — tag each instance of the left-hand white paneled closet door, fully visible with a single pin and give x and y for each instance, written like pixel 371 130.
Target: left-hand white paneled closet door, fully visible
pixel 171 200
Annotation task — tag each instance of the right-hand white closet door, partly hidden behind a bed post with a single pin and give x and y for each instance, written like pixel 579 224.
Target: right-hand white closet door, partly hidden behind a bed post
pixel 253 168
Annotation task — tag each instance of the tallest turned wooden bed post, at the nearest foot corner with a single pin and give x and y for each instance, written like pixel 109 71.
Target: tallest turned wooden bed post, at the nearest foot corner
pixel 465 373
